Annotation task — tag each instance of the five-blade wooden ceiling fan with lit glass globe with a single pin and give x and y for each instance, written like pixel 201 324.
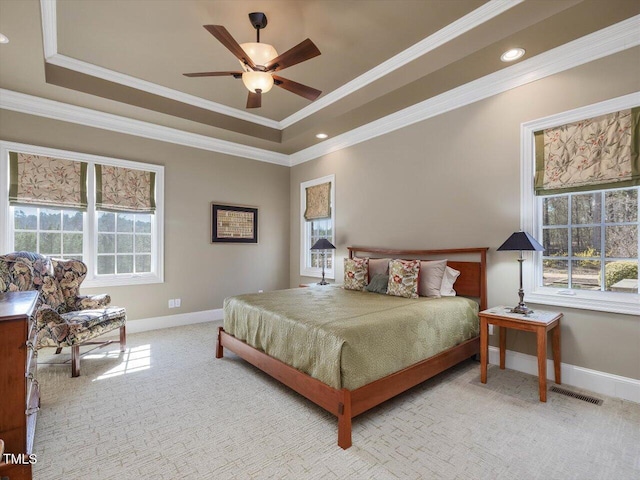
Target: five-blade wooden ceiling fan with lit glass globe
pixel 260 60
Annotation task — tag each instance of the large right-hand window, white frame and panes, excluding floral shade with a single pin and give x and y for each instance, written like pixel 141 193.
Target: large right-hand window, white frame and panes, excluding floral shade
pixel 591 237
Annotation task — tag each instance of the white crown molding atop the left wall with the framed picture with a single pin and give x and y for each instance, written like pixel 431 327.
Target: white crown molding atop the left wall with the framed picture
pixel 42 107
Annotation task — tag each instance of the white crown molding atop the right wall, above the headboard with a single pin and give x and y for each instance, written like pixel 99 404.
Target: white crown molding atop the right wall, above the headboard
pixel 605 42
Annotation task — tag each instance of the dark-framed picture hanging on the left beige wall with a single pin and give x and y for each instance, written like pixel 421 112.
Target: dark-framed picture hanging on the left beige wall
pixel 233 224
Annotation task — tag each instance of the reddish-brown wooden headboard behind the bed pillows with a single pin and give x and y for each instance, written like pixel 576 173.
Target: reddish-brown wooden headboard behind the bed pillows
pixel 472 281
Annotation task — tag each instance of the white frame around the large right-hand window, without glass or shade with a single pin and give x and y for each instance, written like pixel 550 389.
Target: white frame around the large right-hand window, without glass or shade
pixel 531 218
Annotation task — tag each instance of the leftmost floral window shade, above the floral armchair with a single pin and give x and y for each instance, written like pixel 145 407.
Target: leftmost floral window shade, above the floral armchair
pixel 47 181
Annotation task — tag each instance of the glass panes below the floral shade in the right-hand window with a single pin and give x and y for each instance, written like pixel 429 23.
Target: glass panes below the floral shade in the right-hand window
pixel 590 241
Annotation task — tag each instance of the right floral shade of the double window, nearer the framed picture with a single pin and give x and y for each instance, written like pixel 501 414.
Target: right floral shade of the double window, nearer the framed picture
pixel 125 189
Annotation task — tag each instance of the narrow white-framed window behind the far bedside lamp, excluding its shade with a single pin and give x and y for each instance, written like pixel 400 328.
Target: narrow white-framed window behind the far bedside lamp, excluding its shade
pixel 312 230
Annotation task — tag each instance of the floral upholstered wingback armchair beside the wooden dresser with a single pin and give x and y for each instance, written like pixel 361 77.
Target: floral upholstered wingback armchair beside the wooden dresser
pixel 64 318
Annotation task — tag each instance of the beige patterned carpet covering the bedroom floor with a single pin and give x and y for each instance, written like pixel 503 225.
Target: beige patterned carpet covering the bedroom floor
pixel 168 409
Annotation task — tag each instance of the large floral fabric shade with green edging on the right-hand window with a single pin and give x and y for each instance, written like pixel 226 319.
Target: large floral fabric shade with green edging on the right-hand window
pixel 600 152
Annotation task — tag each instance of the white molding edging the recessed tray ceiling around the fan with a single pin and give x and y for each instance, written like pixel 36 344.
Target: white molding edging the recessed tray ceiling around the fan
pixel 478 16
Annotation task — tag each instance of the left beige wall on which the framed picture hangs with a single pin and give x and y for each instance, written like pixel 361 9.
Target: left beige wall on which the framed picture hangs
pixel 200 273
